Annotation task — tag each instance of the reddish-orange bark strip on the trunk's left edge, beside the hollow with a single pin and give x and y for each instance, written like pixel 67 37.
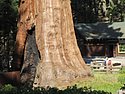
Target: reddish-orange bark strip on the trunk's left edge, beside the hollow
pixel 25 23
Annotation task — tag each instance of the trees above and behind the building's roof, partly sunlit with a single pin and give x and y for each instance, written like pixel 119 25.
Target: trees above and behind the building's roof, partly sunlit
pixel 89 11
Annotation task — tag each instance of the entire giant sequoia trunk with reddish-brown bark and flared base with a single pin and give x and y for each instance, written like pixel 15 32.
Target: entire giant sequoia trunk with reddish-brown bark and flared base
pixel 46 44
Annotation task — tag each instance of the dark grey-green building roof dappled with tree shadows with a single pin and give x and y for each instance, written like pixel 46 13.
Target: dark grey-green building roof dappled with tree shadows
pixel 101 30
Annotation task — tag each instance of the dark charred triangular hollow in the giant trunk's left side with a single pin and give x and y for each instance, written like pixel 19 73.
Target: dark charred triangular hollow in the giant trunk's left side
pixel 31 58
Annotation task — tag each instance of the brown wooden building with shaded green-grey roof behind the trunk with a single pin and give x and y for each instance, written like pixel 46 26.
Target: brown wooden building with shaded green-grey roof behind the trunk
pixel 101 39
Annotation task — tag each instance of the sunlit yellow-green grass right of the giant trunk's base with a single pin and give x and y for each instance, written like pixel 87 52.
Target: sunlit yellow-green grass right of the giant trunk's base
pixel 103 81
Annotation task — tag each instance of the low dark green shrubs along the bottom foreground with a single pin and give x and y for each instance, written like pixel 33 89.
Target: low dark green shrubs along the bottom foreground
pixel 8 89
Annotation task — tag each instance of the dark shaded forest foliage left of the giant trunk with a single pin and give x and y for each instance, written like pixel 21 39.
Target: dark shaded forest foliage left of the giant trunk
pixel 8 28
